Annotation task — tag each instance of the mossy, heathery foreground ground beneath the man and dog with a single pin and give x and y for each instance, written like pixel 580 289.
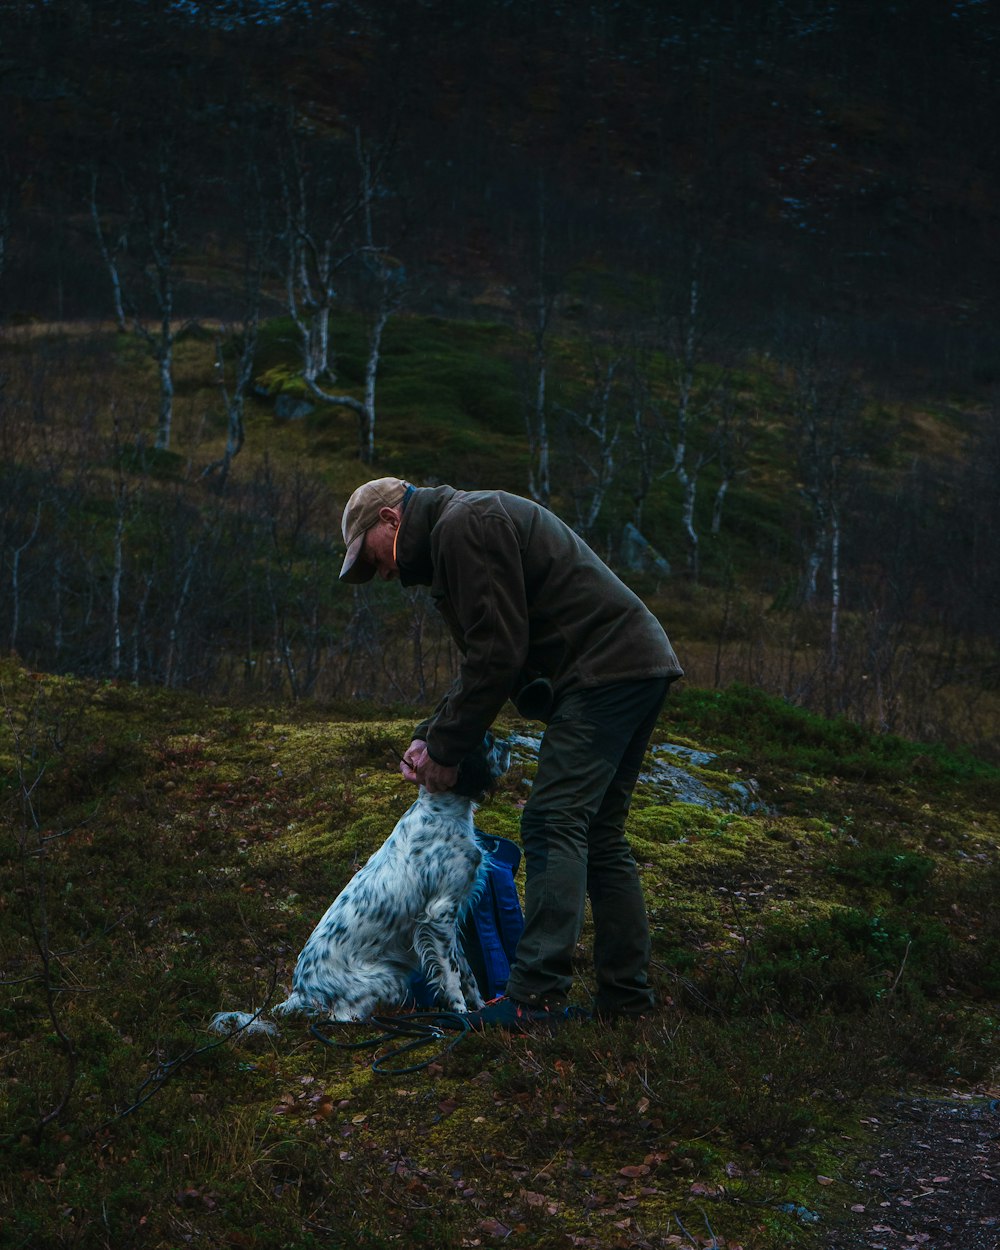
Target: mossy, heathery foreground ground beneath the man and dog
pixel 167 858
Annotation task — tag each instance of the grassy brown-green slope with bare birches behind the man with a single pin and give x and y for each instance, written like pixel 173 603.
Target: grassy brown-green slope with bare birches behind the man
pixel 124 561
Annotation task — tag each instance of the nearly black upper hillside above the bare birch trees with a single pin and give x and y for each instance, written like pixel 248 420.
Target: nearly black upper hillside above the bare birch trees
pixel 829 161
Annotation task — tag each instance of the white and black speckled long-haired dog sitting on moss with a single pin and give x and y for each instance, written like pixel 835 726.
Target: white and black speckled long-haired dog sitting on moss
pixel 399 914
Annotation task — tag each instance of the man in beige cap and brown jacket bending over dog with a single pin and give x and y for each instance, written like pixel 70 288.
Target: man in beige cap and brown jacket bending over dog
pixel 541 621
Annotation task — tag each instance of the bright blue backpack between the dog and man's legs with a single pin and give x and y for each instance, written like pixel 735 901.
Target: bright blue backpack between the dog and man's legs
pixel 491 928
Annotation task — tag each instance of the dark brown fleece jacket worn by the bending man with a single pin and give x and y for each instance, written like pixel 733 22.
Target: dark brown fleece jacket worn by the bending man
pixel 524 598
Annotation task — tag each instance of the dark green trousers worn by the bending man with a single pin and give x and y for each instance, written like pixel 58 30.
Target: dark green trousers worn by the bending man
pixel 574 843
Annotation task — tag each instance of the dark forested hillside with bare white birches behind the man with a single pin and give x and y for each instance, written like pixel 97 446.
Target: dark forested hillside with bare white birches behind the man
pixel 722 273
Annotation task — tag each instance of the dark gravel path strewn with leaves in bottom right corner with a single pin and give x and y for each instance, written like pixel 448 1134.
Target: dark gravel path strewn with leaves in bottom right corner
pixel 932 1181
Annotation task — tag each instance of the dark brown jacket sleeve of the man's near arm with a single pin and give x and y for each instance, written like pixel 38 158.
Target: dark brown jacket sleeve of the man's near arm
pixel 479 571
